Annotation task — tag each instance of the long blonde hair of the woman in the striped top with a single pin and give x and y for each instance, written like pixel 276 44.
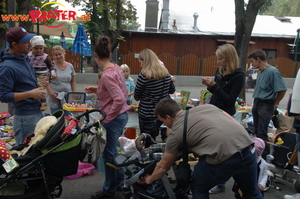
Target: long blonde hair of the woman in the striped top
pixel 152 66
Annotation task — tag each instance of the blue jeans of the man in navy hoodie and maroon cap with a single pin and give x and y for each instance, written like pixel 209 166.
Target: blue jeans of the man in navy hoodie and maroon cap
pixel 24 126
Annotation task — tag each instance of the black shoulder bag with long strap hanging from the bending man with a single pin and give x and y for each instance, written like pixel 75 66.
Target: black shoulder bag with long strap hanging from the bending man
pixel 184 172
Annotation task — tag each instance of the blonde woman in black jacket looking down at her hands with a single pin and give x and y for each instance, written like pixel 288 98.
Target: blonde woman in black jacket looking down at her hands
pixel 226 86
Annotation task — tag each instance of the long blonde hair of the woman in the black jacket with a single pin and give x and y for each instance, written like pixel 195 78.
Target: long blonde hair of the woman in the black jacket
pixel 229 53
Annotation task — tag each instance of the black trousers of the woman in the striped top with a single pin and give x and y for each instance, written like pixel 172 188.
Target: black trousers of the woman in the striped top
pixel 150 126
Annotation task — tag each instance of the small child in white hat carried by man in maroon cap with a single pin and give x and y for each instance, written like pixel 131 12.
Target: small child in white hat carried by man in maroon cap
pixel 41 63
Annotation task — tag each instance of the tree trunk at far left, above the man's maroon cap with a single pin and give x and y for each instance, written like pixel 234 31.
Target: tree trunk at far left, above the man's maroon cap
pixel 24 6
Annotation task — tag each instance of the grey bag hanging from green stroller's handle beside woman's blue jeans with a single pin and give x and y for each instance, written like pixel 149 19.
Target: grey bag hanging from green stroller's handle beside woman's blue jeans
pixel 92 144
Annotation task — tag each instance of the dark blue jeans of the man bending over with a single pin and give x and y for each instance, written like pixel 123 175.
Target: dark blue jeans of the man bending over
pixel 243 168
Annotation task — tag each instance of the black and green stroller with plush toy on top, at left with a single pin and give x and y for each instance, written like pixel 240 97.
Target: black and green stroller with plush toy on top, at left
pixel 41 170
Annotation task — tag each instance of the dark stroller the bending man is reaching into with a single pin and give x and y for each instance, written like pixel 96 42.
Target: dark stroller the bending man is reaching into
pixel 141 163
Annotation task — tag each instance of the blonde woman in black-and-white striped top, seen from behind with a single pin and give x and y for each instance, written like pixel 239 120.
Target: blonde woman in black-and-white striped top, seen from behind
pixel 153 84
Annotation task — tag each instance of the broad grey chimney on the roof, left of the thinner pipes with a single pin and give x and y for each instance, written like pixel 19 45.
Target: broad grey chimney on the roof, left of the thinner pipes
pixel 151 15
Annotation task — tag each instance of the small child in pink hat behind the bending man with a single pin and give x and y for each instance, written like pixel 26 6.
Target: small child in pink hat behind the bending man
pixel 262 168
